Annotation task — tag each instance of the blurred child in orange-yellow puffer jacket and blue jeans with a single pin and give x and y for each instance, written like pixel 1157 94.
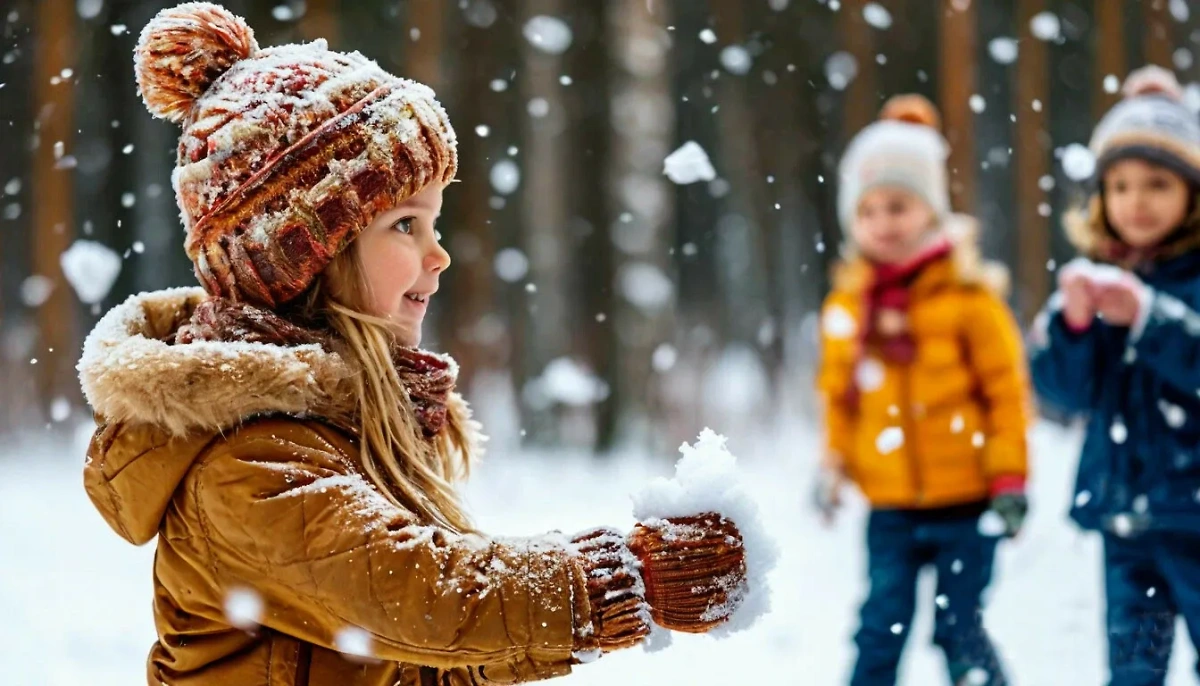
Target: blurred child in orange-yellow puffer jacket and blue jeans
pixel 926 396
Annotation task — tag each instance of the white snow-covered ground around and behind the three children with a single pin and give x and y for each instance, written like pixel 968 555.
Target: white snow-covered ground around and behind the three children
pixel 76 599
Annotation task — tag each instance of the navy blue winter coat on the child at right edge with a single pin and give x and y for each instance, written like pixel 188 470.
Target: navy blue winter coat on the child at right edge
pixel 1141 466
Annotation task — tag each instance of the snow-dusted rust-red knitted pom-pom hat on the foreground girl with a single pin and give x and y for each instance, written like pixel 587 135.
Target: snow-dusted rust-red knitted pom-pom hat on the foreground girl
pixel 287 153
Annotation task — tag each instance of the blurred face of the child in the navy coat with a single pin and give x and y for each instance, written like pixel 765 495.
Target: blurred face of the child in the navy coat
pixel 1145 203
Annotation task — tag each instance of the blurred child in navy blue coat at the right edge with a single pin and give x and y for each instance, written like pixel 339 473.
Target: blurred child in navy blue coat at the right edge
pixel 1120 344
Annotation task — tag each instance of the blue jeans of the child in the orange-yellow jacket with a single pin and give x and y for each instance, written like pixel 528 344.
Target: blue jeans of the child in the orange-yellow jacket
pixel 899 544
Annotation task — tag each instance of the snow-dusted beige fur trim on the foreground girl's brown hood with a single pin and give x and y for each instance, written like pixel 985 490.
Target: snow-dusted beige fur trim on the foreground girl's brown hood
pixel 133 371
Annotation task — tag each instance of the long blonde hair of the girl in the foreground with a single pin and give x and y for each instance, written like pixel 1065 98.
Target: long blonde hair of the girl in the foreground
pixel 416 473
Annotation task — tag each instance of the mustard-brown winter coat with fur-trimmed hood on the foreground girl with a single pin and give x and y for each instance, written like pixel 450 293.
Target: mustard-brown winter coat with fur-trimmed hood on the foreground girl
pixel 275 557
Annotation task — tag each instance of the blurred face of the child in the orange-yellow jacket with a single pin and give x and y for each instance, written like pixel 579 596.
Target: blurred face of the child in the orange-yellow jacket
pixel 892 225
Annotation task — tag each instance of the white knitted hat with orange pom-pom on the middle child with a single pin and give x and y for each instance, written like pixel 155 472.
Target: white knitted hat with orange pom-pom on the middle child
pixel 904 149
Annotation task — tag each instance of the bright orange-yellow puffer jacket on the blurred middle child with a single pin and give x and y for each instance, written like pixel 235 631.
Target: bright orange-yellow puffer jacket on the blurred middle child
pixel 938 431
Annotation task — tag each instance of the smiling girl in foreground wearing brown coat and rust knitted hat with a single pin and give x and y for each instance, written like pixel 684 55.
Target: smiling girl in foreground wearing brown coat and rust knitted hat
pixel 280 434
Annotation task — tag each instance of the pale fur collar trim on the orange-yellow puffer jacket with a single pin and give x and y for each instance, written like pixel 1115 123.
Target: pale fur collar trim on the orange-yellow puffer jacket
pixel 968 266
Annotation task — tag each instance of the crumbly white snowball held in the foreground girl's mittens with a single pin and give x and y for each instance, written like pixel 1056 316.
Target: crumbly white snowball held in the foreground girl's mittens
pixel 706 482
